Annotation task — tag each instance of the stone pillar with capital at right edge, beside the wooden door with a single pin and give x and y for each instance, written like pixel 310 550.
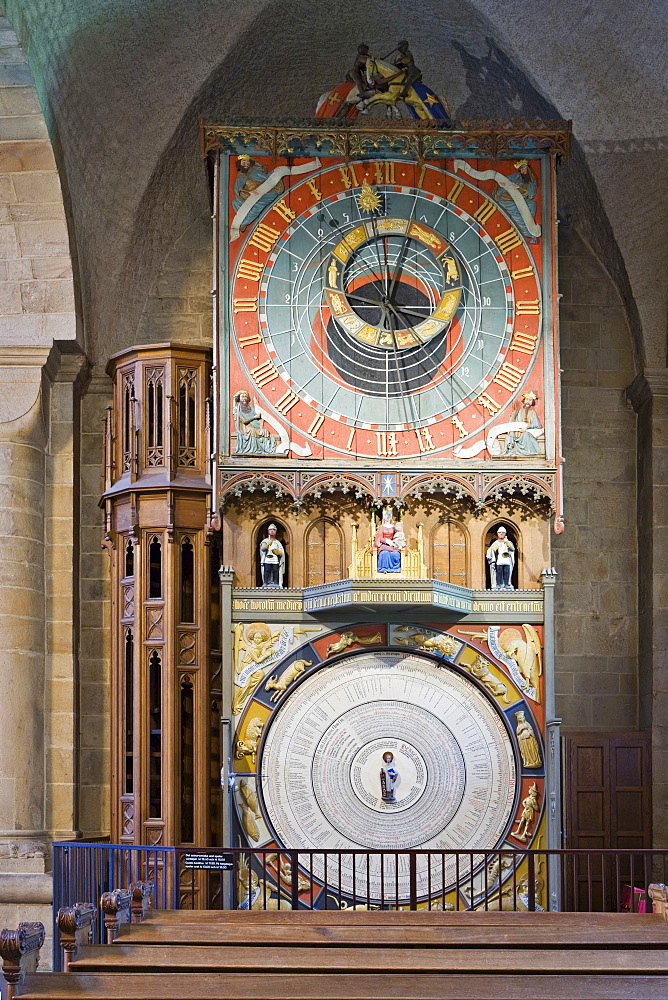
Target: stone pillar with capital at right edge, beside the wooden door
pixel 649 395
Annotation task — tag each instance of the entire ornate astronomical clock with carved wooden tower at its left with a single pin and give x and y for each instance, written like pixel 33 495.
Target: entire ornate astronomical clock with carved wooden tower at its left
pixel 369 608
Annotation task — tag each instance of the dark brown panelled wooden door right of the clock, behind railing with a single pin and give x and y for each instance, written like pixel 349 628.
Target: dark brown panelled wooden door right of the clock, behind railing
pixel 608 805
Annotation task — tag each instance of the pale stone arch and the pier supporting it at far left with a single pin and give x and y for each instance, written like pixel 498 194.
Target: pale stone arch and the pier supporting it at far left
pixel 41 372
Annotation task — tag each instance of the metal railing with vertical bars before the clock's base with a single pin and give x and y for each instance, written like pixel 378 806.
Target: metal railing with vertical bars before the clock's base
pixel 579 880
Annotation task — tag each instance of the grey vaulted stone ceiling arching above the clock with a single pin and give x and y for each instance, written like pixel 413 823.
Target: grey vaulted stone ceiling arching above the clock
pixel 122 83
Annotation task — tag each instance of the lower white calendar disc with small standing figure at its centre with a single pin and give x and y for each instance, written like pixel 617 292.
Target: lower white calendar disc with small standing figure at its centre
pixel 388 749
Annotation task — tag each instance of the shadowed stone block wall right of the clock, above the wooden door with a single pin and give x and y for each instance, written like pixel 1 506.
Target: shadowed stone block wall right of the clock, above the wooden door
pixel 596 556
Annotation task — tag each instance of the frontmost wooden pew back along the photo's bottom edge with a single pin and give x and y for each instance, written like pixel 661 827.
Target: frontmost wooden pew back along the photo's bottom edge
pixel 349 986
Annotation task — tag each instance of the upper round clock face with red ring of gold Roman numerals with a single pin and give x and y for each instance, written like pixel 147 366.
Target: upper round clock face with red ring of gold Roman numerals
pixel 385 309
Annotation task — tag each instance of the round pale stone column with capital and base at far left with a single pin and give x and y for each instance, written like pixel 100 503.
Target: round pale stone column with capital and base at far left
pixel 23 439
